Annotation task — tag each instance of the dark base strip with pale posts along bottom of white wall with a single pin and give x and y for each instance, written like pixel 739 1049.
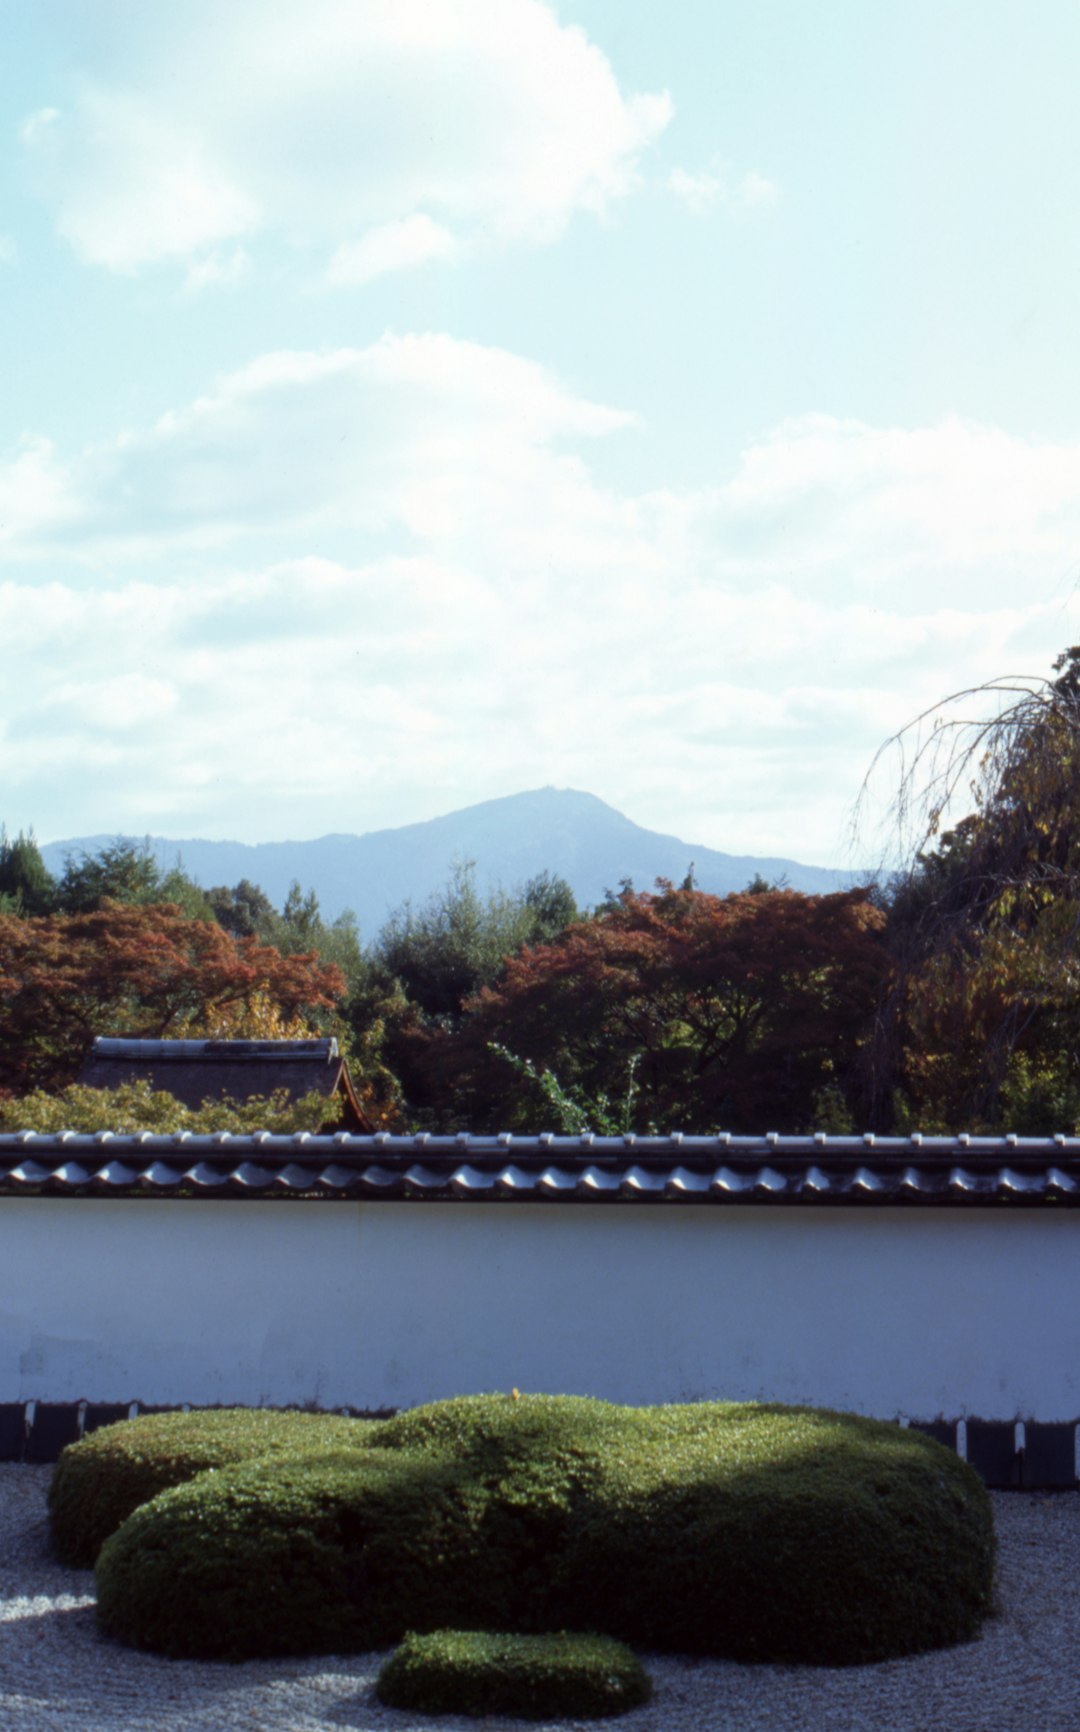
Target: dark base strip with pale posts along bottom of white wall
pixel 1025 1456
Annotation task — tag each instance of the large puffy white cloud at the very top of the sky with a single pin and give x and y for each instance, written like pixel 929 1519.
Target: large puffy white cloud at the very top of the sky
pixel 337 122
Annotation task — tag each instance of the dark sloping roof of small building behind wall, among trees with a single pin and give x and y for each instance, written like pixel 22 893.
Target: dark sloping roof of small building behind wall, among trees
pixel 196 1071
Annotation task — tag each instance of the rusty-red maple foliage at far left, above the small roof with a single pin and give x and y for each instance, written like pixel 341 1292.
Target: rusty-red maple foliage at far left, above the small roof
pixel 138 971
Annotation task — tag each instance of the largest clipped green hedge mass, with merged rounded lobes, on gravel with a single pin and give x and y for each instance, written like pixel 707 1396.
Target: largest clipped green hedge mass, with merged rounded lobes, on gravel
pixel 738 1530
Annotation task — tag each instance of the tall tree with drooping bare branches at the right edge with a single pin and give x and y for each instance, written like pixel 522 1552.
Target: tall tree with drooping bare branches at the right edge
pixel 984 1014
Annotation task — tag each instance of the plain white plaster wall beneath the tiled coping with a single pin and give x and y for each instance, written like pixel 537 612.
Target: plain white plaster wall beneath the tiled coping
pixel 387 1305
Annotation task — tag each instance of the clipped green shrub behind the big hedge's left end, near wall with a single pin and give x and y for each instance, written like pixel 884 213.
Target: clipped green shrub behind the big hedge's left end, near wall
pixel 100 1482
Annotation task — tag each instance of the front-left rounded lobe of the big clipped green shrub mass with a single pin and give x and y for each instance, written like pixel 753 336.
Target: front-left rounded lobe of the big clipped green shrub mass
pixel 297 1556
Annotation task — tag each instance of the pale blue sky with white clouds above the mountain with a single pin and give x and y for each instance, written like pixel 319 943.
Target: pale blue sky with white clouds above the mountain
pixel 411 403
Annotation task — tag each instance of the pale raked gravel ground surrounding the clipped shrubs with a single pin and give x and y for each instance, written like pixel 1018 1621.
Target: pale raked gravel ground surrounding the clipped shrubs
pixel 1022 1676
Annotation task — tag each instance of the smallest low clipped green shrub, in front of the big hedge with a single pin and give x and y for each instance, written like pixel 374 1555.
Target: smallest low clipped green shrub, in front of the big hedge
pixel 532 1677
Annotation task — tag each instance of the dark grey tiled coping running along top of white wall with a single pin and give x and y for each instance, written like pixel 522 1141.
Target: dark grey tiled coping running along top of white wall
pixel 546 1168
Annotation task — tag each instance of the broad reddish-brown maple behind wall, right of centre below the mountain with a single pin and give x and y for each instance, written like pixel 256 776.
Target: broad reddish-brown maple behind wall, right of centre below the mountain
pixel 726 1012
